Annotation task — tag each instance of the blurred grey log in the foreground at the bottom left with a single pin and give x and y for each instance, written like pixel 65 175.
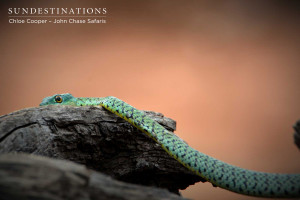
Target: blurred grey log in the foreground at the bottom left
pixel 35 177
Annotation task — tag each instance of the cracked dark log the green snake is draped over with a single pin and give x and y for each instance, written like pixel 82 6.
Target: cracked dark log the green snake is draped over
pixel 97 139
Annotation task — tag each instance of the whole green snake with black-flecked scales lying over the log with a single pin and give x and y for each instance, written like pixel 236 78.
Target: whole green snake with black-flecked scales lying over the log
pixel 219 173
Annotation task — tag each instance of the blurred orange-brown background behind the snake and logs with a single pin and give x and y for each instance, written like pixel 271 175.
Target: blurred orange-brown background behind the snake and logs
pixel 226 71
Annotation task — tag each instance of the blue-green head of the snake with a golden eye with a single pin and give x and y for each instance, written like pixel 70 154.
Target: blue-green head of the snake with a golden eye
pixel 59 99
